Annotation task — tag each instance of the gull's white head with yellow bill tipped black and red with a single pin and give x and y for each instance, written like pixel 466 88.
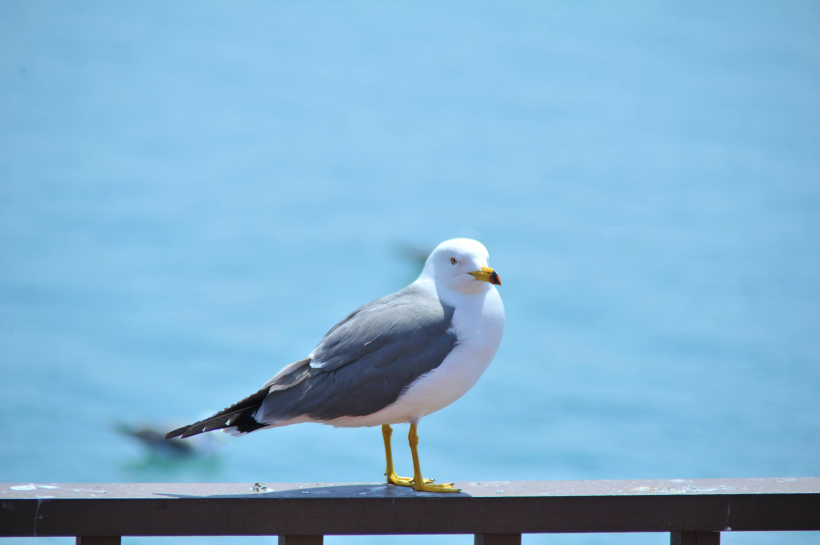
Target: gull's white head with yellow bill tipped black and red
pixel 461 264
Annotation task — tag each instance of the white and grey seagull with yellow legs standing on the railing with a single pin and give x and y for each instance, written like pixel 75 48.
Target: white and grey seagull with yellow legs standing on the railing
pixel 391 361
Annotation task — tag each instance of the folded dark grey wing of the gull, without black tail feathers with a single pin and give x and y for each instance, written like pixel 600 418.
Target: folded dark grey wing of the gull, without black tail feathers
pixel 366 361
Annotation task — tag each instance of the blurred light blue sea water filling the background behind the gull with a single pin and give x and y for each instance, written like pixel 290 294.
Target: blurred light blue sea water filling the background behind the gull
pixel 192 193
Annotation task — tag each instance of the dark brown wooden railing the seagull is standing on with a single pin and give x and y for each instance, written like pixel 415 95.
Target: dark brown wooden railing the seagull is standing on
pixel 692 511
